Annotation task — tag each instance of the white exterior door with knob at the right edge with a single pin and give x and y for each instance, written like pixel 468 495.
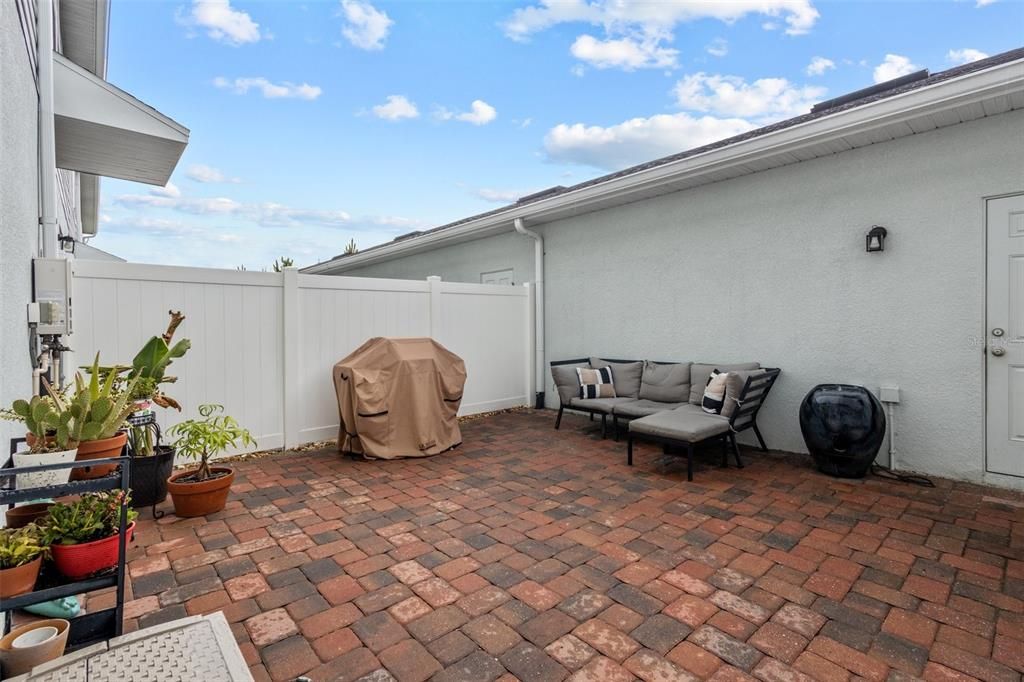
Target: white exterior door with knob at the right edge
pixel 1006 336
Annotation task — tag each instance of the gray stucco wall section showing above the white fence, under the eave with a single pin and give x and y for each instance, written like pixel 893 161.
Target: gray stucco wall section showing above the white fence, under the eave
pixel 462 263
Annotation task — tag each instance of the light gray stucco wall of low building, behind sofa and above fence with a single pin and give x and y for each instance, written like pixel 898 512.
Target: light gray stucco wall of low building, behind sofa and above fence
pixel 772 267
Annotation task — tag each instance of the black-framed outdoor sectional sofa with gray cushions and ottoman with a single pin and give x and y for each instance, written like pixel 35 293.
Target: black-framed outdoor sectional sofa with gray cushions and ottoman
pixel 662 402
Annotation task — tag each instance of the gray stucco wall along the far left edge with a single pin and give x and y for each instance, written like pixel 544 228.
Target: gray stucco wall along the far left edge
pixel 19 212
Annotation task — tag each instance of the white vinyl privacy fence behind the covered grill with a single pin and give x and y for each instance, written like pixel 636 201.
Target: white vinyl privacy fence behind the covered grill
pixel 264 344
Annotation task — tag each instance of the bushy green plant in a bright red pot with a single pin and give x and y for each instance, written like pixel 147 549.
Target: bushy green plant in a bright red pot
pixel 83 535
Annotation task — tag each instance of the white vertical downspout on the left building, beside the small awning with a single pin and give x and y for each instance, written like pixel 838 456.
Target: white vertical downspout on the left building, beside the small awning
pixel 48 155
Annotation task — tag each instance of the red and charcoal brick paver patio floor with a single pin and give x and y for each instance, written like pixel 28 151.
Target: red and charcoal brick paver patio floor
pixel 539 556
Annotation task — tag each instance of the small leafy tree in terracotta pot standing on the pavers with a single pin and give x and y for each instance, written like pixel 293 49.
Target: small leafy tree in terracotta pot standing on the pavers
pixel 204 491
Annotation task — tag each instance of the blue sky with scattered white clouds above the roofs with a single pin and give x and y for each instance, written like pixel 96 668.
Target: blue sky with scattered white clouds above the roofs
pixel 314 123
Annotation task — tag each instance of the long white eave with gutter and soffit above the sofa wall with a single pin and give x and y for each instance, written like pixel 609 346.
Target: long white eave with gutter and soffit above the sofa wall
pixel 970 89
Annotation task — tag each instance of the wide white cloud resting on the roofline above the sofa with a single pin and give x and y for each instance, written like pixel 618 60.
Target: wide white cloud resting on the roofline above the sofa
pixel 638 140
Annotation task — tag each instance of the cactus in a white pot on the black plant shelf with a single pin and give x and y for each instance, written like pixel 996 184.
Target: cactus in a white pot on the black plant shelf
pixel 49 433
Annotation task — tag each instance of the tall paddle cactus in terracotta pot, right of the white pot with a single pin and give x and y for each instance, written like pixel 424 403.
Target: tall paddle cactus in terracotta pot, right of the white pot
pixel 100 412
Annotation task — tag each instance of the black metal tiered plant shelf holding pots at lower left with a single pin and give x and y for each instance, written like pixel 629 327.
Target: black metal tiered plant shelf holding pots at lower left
pixel 89 628
